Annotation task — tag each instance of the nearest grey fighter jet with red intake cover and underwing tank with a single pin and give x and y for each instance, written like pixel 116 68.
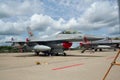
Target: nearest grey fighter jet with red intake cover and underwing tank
pixel 54 45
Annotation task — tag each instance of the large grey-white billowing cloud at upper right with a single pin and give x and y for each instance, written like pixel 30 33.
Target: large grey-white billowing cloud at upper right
pixel 99 15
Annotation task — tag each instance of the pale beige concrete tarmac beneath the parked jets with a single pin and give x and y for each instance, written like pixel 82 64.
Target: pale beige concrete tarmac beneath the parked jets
pixel 74 66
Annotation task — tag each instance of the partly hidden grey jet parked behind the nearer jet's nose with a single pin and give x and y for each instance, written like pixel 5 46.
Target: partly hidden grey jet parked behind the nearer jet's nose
pixel 100 44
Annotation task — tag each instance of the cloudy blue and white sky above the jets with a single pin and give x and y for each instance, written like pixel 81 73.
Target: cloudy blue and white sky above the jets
pixel 46 17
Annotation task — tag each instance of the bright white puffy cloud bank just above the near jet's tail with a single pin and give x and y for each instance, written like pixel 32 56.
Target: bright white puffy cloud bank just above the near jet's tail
pixel 43 22
